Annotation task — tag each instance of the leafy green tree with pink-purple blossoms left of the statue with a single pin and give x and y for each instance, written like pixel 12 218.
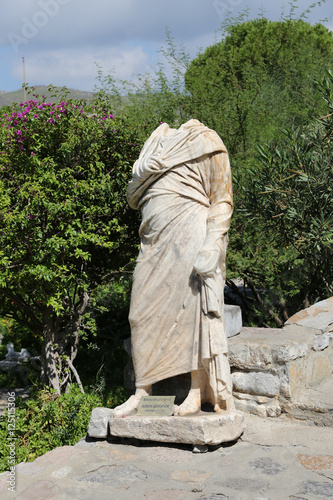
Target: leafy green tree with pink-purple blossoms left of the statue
pixel 64 222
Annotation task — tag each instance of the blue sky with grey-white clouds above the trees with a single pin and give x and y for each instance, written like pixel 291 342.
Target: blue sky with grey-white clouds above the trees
pixel 62 40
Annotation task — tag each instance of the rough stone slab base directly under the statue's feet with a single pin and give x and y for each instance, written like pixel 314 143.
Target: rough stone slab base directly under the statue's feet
pixel 204 428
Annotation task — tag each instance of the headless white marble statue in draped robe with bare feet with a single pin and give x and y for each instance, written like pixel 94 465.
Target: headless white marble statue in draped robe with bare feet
pixel 182 185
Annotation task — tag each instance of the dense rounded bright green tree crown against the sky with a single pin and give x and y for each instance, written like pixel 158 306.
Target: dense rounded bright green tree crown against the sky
pixel 258 79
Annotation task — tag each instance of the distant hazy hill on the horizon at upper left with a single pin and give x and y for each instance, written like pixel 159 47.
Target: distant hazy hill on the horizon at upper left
pixel 7 98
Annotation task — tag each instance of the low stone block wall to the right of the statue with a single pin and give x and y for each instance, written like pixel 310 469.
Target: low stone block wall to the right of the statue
pixel 273 368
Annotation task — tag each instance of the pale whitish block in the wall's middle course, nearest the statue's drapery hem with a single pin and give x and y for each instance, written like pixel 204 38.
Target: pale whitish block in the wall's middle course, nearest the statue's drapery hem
pixel 261 384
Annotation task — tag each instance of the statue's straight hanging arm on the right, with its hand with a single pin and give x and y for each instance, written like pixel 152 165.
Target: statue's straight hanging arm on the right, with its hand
pixel 211 257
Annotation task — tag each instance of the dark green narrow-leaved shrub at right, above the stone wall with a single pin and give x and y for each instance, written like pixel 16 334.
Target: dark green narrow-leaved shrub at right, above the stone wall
pixel 291 203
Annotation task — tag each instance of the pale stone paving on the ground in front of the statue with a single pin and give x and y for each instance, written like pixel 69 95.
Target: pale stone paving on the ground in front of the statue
pixel 275 459
